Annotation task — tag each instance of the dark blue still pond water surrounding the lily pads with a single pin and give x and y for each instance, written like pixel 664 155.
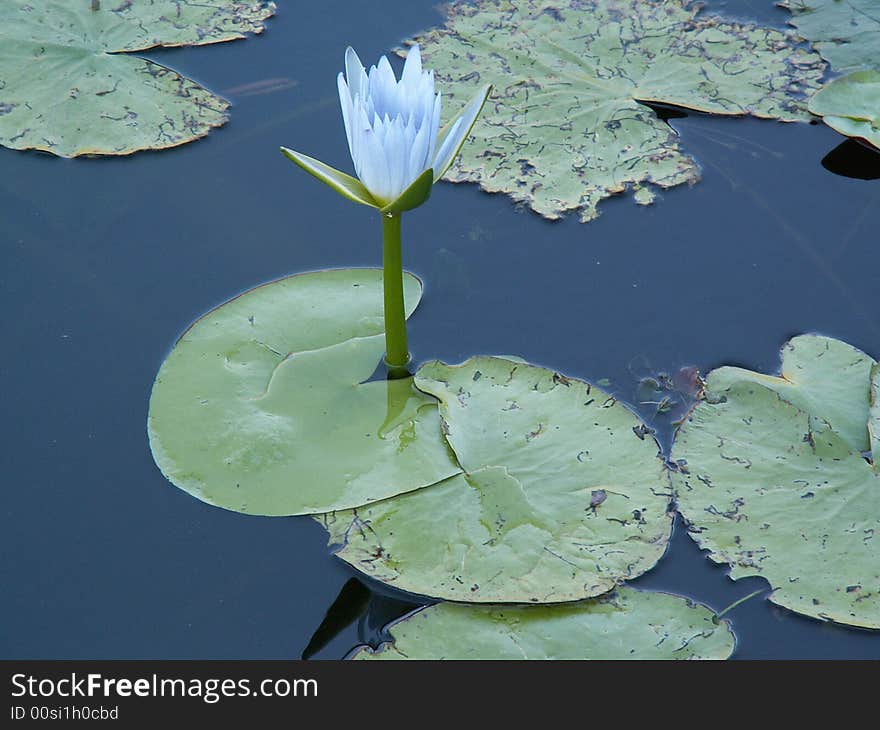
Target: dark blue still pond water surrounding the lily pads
pixel 106 261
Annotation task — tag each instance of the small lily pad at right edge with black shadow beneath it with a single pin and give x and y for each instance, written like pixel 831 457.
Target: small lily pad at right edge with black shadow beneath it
pixel 851 105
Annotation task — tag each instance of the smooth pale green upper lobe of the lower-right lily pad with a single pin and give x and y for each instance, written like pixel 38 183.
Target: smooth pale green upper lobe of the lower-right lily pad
pixel 820 375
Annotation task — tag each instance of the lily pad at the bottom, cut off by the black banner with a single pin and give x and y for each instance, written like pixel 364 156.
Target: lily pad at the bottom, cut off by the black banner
pixel 626 624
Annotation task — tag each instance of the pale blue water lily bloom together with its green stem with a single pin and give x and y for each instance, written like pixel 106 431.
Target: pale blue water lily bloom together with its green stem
pixel 399 152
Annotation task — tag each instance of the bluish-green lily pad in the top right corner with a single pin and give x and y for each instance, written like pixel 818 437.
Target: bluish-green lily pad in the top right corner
pixel 846 34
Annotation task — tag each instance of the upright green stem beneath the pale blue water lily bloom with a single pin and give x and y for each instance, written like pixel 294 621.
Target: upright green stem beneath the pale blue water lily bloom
pixel 396 349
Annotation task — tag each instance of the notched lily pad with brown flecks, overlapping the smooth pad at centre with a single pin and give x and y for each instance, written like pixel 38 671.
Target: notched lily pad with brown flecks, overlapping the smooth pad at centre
pixel 563 496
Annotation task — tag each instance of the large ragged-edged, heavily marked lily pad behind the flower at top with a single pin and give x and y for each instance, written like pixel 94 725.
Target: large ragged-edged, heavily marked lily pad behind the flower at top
pixel 564 128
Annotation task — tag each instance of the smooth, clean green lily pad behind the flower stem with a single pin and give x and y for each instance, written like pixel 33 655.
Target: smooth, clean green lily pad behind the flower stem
pixel 262 408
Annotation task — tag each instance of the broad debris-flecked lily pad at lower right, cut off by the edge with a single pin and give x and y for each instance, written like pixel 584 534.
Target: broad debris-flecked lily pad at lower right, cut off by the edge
pixel 775 490
